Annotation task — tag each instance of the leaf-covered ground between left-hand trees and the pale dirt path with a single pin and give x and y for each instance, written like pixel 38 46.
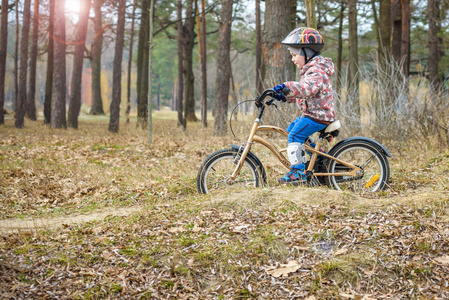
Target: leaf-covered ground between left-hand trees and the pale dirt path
pixel 43 173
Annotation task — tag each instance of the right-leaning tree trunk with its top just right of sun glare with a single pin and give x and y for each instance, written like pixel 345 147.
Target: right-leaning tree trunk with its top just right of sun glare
pixel 77 73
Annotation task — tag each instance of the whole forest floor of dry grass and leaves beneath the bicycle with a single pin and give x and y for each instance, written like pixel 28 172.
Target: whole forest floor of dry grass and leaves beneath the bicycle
pixel 91 214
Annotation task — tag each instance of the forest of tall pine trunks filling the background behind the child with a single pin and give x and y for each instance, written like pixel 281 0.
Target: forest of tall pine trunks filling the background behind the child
pixel 99 64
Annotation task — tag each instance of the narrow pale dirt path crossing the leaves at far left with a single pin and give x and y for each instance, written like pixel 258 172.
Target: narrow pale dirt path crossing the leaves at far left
pixel 20 225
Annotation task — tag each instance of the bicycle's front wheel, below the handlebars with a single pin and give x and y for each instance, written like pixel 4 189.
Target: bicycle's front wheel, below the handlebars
pixel 215 172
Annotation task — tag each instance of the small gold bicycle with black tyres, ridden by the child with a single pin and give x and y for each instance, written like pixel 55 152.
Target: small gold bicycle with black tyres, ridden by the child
pixel 358 164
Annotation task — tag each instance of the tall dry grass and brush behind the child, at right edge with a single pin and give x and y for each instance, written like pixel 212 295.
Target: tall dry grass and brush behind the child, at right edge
pixel 395 110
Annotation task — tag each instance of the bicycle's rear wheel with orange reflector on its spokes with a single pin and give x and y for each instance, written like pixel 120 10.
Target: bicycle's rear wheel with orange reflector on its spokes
pixel 365 155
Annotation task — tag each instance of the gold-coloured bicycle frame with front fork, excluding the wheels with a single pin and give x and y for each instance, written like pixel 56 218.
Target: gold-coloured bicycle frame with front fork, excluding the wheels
pixel 355 171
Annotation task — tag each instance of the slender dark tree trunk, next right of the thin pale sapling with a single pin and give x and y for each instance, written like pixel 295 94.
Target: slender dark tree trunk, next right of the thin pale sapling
pixel 180 93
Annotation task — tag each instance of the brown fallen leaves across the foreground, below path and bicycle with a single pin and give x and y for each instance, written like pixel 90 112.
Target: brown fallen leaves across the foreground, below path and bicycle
pixel 194 253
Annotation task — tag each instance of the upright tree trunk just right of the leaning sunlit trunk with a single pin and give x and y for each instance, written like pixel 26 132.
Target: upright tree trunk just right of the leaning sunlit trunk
pixel 97 46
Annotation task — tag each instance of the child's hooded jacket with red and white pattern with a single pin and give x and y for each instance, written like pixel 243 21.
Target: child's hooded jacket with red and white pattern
pixel 313 93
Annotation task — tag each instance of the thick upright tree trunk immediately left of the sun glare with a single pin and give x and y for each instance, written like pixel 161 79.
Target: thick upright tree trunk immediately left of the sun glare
pixel 58 107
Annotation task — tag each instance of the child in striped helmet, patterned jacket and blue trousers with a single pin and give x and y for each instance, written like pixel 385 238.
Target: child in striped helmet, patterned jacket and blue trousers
pixel 312 94
